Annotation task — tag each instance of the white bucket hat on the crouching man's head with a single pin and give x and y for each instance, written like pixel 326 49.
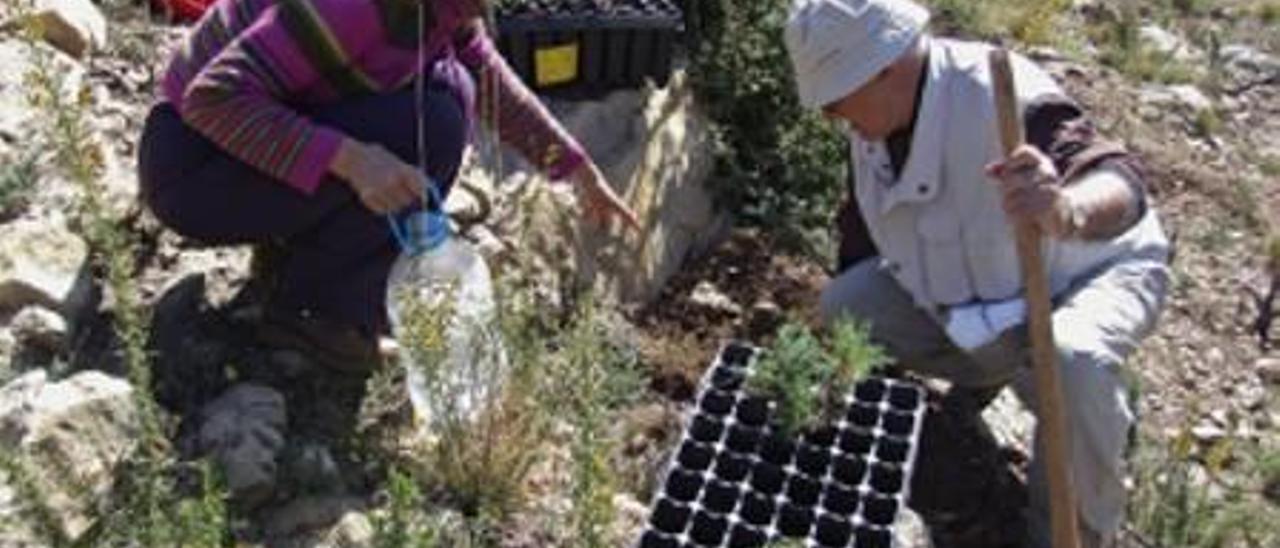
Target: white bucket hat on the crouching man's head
pixel 836 47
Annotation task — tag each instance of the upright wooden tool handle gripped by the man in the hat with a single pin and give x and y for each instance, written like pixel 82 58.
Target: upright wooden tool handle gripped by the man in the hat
pixel 1052 418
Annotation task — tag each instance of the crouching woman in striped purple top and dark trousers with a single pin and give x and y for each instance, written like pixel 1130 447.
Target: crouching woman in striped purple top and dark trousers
pixel 298 124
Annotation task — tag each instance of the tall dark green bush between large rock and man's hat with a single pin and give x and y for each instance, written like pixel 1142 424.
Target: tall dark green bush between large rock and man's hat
pixel 778 165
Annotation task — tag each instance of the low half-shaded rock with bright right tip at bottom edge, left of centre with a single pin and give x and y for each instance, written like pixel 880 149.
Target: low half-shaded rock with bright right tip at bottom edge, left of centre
pixel 305 517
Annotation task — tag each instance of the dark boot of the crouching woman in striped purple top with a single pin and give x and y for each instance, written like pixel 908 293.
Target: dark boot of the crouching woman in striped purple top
pixel 344 349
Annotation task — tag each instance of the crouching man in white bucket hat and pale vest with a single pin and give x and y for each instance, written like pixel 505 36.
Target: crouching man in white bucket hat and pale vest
pixel 929 245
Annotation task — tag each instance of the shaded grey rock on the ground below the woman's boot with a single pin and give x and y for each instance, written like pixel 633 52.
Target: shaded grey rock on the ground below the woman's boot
pixel 244 431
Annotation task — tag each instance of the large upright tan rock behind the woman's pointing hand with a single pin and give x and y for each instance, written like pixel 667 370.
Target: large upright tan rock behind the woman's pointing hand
pixel 655 147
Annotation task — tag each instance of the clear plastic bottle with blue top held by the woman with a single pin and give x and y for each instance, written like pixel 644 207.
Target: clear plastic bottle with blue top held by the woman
pixel 447 276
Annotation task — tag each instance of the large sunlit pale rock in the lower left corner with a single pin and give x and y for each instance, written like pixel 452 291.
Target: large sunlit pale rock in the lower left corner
pixel 71 436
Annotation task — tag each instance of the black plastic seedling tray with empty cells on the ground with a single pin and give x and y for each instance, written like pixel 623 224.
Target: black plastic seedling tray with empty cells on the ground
pixel 737 482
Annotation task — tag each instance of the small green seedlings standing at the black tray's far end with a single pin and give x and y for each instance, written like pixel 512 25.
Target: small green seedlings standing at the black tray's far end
pixel 808 378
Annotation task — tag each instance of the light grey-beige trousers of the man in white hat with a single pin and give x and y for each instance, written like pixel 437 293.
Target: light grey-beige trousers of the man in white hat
pixel 1098 325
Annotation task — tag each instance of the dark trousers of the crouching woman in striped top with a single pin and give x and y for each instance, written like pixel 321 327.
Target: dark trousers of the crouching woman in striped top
pixel 337 252
